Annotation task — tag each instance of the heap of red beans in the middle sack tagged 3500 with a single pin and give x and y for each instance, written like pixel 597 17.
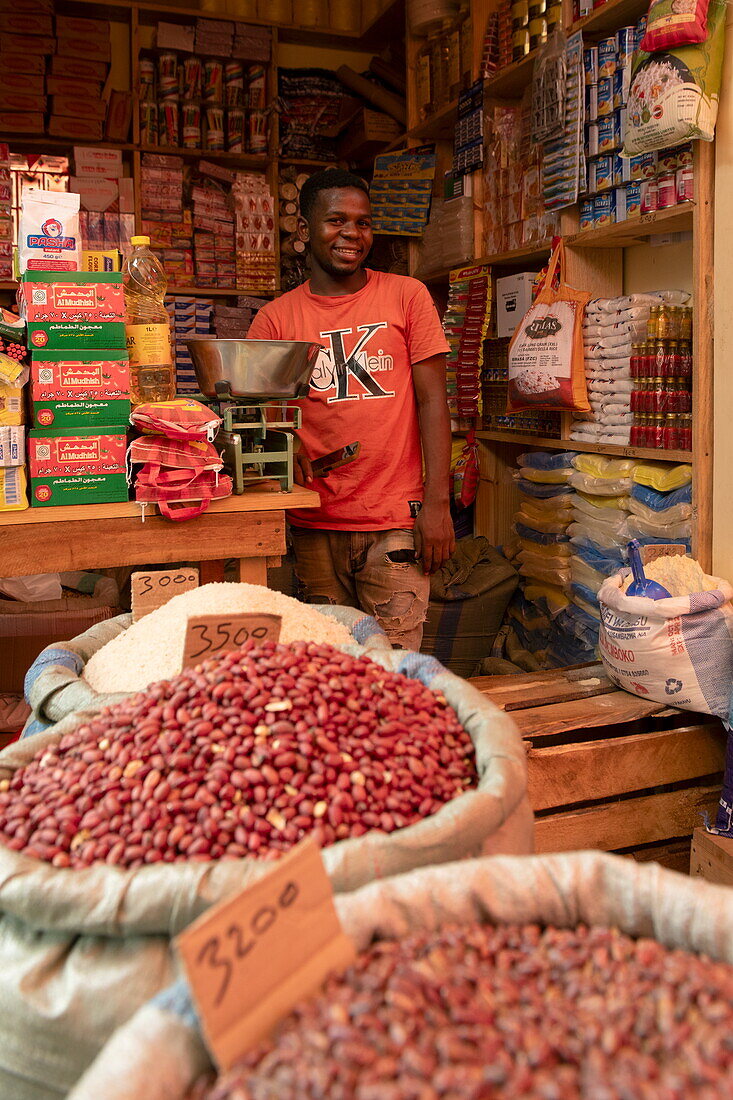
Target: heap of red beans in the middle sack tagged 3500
pixel 246 754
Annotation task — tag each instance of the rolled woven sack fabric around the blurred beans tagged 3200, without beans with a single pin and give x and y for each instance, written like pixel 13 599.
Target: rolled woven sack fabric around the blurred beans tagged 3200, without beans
pixel 160 1052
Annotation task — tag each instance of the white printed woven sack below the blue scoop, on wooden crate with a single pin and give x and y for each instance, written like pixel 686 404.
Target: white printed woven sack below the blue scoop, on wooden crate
pixel 677 652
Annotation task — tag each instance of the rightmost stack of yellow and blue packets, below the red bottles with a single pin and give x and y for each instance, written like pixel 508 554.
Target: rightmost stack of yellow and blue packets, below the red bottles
pixel 661 504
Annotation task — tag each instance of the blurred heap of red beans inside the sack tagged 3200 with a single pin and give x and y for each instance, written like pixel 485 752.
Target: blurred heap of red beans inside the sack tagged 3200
pixel 479 1013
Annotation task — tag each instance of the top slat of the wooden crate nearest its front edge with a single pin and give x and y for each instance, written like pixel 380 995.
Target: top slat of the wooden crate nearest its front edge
pixel 611 709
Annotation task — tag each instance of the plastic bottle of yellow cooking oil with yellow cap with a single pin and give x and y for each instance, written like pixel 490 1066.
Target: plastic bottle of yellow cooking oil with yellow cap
pixel 147 326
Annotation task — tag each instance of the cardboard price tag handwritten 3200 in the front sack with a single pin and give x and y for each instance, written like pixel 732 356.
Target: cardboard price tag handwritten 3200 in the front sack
pixel 250 960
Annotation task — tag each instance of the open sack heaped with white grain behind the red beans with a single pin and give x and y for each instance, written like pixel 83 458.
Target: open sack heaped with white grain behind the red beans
pixel 84 675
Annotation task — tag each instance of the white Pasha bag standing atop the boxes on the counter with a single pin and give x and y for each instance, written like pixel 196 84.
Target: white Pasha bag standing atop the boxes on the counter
pixel 49 236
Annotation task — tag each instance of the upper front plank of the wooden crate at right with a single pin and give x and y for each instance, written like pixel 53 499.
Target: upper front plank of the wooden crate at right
pixel 566 774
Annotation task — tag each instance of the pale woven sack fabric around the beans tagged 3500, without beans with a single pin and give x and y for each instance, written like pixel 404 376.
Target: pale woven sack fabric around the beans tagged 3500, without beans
pixel 81 951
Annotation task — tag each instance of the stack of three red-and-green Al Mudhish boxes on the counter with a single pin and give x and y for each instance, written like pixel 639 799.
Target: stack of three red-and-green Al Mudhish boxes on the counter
pixel 80 387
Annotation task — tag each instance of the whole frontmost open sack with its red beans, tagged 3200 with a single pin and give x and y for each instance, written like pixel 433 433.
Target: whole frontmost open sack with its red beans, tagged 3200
pixel 450 996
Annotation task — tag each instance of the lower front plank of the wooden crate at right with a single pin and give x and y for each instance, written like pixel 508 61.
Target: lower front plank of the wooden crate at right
pixel 627 823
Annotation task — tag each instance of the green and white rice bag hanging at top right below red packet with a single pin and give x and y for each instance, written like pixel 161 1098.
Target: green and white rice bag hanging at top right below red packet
pixel 674 94
